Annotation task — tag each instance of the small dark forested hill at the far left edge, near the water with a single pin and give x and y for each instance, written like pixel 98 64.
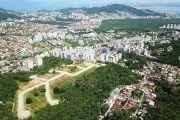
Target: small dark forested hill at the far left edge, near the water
pixel 5 14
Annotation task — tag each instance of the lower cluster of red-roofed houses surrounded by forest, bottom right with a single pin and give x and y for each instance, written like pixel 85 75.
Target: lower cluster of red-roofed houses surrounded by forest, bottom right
pixel 132 98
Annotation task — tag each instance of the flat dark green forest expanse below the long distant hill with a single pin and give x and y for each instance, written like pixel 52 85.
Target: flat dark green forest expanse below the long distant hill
pixel 135 25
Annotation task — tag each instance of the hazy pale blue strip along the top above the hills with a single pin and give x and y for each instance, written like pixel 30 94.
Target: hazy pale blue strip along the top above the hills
pixel 35 5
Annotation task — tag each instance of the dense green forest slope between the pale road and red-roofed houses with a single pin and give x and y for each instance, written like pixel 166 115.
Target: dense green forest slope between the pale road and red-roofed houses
pixel 83 100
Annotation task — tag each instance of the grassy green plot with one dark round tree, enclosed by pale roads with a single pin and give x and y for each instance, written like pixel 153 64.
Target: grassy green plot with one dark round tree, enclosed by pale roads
pixel 38 100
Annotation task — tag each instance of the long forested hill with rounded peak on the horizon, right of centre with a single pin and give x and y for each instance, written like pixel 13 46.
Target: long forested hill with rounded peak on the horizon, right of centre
pixel 112 9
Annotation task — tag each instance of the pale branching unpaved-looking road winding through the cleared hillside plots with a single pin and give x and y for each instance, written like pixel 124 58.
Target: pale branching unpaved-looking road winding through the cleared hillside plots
pixel 26 113
